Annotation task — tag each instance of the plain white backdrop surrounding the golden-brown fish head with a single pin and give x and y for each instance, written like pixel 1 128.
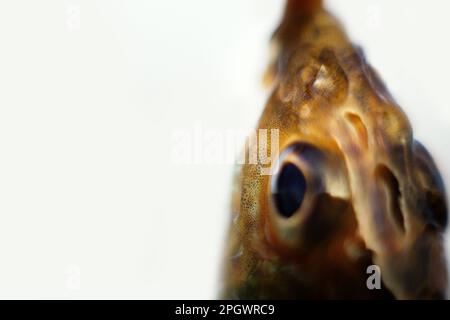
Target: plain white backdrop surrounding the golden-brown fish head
pixel 91 204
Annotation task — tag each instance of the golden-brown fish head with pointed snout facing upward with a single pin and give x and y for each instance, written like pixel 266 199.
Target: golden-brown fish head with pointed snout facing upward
pixel 351 194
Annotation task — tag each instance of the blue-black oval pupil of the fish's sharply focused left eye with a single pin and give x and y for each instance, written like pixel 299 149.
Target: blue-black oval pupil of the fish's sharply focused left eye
pixel 290 188
